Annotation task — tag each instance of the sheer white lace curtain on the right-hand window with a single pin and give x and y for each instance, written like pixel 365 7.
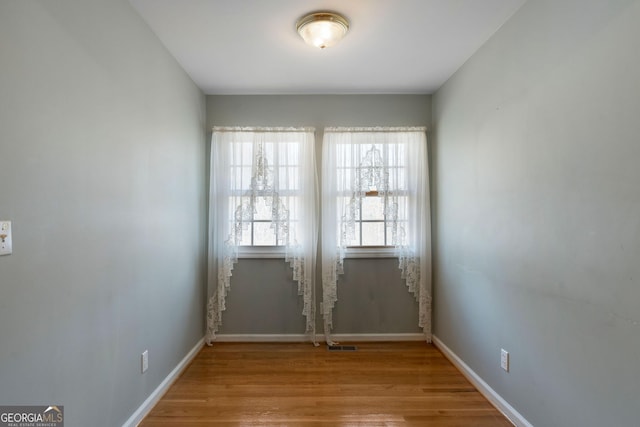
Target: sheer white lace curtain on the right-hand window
pixel 390 163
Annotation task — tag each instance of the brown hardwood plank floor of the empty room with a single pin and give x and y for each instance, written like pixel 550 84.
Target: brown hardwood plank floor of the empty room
pixel 380 384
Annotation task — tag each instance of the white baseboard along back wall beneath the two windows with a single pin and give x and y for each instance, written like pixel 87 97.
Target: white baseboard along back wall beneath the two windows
pixel 320 337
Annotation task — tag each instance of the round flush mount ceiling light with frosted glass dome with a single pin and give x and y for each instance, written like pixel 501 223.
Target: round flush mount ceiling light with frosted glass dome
pixel 322 29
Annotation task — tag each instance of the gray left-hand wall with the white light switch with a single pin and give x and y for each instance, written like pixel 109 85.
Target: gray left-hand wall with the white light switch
pixel 102 171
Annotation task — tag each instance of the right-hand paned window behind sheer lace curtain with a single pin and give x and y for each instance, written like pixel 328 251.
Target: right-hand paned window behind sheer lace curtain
pixel 371 180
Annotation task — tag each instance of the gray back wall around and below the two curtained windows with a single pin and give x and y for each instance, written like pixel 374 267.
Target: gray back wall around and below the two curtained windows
pixel 372 298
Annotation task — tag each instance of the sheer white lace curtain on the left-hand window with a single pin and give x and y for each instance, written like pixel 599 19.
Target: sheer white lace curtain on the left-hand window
pixel 262 192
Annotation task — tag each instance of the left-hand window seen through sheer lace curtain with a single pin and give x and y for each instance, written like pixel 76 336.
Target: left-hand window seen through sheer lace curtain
pixel 264 183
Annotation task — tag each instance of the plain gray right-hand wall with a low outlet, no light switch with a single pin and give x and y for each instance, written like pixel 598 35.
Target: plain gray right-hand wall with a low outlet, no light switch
pixel 537 212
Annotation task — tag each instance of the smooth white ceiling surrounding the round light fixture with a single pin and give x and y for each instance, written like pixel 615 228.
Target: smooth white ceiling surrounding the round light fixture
pixel 393 46
